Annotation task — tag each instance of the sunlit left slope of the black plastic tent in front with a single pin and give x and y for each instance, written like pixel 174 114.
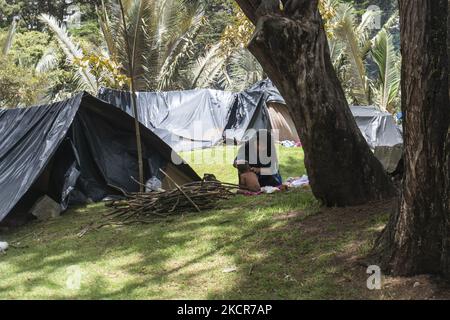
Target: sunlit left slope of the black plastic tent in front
pixel 29 139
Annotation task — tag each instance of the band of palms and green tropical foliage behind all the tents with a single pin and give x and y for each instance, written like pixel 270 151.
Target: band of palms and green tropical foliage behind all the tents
pixel 186 44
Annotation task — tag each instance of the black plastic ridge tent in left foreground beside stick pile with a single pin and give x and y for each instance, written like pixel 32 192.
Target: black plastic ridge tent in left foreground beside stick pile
pixel 74 150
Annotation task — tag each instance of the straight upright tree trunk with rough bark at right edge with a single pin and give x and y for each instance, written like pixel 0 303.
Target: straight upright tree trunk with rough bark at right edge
pixel 415 239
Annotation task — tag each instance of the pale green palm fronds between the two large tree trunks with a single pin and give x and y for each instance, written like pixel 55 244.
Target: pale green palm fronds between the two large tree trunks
pixel 351 46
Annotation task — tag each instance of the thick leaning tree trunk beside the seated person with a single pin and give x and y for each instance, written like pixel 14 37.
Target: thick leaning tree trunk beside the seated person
pixel 292 47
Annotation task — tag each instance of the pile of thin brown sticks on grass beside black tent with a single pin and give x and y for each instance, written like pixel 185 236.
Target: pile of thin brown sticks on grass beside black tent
pixel 142 207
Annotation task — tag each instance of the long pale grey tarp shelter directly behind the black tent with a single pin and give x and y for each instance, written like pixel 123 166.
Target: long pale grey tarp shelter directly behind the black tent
pixel 185 120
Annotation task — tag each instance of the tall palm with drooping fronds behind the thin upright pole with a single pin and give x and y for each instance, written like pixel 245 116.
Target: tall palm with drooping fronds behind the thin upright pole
pixel 161 33
